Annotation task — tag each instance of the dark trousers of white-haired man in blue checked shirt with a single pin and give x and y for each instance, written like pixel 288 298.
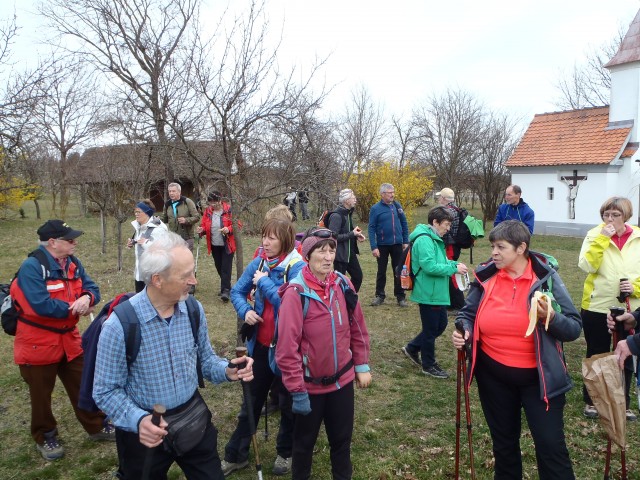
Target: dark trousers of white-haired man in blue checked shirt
pixel 200 463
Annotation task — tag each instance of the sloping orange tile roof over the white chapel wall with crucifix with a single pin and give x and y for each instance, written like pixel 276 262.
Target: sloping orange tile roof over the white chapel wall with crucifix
pixel 575 137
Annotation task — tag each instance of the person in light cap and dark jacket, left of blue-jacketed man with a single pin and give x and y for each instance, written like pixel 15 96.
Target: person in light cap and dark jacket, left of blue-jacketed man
pixel 341 223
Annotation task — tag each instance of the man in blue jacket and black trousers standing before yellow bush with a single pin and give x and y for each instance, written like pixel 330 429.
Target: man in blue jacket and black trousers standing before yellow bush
pixel 388 236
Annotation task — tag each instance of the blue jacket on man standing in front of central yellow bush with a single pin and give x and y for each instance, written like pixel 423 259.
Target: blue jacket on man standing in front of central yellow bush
pixel 387 225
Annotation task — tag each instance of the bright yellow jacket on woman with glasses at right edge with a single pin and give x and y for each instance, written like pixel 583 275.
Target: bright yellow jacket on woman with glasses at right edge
pixel 605 265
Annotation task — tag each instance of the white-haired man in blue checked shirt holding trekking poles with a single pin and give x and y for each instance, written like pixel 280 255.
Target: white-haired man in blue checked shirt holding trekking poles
pixel 164 372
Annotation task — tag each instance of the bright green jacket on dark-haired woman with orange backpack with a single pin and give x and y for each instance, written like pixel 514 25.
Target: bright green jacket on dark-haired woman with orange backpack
pixel 431 267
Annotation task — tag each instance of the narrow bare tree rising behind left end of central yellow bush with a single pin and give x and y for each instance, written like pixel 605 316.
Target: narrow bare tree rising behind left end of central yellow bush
pixel 360 133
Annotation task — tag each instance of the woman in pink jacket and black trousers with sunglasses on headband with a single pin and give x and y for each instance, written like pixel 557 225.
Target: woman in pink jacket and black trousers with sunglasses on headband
pixel 323 346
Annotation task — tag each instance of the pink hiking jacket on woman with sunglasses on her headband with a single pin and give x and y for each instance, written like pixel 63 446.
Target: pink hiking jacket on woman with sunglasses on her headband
pixel 321 344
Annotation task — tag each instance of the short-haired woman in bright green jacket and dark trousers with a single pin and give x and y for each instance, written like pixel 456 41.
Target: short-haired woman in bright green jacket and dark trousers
pixel 432 271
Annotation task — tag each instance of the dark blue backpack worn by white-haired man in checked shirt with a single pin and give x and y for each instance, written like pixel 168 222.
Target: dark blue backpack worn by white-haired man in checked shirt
pixel 130 323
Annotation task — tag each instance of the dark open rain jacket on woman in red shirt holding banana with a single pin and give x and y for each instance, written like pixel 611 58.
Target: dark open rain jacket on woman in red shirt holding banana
pixel 565 327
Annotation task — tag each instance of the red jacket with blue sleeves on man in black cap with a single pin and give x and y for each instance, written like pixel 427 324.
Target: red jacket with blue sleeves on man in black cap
pixel 47 302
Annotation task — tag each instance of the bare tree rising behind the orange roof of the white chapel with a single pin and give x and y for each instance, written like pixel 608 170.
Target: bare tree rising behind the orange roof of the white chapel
pixel 589 84
